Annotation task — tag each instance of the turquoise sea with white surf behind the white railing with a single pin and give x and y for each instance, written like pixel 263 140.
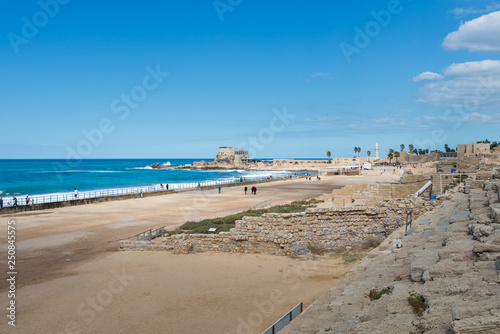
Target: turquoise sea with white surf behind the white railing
pixel 40 177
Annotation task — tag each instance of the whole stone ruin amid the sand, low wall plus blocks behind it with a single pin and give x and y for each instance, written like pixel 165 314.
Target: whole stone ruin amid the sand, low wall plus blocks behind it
pixel 328 226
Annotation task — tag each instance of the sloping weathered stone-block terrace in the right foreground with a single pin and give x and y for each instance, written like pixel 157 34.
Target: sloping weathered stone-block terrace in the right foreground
pixel 452 259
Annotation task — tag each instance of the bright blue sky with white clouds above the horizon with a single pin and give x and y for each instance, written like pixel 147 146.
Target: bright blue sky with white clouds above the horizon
pixel 88 79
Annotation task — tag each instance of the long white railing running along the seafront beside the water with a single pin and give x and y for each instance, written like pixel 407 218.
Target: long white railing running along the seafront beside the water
pixel 41 199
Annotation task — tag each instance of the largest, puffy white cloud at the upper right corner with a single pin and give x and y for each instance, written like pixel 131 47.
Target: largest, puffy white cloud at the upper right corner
pixel 481 34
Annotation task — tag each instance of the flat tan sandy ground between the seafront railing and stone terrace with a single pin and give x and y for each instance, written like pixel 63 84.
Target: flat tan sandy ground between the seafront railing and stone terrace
pixel 72 279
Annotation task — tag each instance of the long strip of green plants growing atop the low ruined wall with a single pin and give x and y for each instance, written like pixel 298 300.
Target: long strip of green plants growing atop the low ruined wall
pixel 224 224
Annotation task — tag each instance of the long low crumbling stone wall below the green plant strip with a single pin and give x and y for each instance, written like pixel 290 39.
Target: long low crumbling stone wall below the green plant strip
pixel 286 234
